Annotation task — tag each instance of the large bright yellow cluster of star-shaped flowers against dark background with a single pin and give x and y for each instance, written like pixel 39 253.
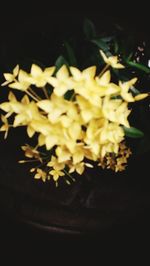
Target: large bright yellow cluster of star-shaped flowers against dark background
pixel 80 128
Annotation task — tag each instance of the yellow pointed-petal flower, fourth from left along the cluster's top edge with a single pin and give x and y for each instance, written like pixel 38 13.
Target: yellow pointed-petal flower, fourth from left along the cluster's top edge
pixel 62 82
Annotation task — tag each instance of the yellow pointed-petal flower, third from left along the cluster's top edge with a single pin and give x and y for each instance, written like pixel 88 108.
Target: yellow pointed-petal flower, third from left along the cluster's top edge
pixel 39 77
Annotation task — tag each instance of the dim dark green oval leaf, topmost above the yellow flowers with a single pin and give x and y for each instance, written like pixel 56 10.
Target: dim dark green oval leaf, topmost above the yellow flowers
pixel 89 29
